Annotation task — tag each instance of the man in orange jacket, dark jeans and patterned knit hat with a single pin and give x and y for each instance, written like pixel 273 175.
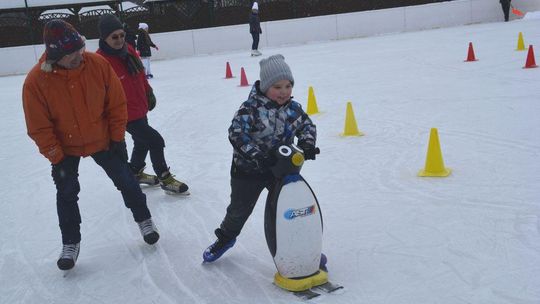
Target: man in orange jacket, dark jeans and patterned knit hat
pixel 74 107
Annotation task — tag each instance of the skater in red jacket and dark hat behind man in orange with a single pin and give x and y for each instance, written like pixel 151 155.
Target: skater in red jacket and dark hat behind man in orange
pixel 140 100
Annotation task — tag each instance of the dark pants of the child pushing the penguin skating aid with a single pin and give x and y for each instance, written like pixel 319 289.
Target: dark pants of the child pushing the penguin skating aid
pixel 244 196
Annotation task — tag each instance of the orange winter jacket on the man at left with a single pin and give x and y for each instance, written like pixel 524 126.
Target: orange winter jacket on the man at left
pixel 74 112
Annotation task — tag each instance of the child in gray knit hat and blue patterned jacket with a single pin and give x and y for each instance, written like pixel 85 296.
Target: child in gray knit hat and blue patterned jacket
pixel 268 119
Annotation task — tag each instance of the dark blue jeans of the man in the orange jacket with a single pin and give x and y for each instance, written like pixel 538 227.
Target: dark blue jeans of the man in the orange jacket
pixel 66 178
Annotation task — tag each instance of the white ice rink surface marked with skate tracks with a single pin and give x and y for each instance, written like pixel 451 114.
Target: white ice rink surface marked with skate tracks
pixel 390 236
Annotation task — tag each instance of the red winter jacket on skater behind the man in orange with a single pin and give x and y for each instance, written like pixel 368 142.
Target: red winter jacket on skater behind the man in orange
pixel 135 86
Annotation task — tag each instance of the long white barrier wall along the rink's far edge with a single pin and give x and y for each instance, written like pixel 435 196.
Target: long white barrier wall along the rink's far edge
pixel 19 60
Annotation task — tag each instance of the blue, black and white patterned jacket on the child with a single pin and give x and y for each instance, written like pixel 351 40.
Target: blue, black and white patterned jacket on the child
pixel 261 125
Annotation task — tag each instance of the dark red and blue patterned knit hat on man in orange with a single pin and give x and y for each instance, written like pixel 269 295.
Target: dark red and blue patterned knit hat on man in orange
pixel 60 39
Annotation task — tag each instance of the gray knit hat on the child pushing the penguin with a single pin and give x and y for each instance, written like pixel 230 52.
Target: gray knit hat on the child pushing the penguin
pixel 274 69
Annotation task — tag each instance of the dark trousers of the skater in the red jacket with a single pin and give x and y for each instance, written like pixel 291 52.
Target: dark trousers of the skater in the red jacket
pixel 146 139
